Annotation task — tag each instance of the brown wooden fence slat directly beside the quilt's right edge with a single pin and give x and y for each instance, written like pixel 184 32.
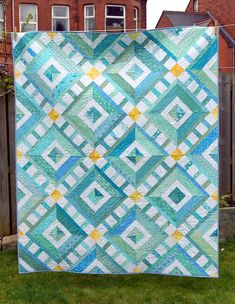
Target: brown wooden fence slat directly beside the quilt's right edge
pixel 225 133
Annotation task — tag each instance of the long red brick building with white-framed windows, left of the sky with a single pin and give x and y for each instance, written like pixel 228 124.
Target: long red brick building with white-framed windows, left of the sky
pixel 70 15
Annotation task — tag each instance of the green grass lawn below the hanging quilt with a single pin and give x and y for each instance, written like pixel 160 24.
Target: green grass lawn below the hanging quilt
pixel 50 288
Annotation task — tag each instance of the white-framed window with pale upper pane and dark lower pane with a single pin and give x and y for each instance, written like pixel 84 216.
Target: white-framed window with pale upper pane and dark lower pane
pixel 60 18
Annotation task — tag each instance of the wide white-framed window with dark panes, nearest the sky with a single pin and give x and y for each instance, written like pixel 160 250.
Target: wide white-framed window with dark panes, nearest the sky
pixel 115 18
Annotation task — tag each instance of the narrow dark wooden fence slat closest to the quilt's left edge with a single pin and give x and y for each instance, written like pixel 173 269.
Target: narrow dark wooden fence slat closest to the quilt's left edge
pixel 12 159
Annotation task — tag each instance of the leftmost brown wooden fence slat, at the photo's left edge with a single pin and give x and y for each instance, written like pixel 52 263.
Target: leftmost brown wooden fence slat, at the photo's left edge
pixel 4 181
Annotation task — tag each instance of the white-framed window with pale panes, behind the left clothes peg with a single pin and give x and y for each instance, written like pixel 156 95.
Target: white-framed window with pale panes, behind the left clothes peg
pixel 28 18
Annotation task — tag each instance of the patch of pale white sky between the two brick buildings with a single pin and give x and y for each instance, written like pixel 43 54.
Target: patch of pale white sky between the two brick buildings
pixel 155 8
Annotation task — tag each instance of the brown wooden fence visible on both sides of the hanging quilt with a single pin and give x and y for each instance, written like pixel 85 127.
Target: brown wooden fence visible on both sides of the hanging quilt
pixel 7 151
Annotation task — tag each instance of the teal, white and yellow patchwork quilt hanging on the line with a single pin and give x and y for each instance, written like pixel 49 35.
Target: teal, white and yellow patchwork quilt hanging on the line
pixel 117 152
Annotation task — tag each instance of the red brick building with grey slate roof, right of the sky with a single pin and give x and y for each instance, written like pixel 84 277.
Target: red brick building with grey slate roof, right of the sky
pixel 204 13
